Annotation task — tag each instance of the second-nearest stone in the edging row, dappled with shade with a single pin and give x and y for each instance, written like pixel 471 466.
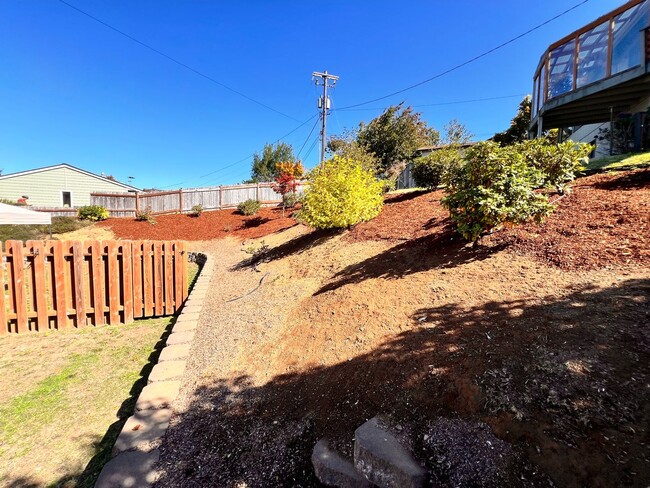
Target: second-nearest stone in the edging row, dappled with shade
pixel 142 429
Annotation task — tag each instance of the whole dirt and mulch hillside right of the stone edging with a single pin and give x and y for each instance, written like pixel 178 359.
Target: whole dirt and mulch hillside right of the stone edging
pixel 397 317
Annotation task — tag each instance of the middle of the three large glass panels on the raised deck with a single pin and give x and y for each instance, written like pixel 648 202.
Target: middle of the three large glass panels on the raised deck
pixel 593 46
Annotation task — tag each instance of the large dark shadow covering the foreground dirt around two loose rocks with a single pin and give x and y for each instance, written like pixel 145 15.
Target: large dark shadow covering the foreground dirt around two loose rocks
pixel 563 380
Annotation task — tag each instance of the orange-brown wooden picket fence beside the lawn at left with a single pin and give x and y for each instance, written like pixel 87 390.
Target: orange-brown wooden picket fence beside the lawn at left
pixel 59 284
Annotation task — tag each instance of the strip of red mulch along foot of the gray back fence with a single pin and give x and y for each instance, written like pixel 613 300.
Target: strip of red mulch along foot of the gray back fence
pixel 209 225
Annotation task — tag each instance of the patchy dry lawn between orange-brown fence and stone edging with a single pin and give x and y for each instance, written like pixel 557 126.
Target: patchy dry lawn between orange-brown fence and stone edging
pixel 64 397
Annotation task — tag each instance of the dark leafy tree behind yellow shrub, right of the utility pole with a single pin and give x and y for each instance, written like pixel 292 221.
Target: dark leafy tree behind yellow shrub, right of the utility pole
pixel 394 136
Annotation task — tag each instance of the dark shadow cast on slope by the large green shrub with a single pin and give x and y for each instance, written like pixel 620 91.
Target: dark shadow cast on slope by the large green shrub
pixel 442 249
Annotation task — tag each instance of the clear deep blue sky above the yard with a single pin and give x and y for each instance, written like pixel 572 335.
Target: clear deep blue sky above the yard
pixel 73 90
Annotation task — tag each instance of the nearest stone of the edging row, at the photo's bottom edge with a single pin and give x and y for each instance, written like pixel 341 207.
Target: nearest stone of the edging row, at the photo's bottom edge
pixel 130 469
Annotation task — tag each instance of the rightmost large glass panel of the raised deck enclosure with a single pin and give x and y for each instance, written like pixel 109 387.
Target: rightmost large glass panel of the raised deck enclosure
pixel 626 50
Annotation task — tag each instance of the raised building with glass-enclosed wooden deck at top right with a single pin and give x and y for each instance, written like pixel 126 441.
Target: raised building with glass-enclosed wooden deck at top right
pixel 596 76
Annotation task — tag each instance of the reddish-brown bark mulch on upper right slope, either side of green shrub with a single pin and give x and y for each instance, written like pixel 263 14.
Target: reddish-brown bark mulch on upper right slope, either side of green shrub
pixel 604 221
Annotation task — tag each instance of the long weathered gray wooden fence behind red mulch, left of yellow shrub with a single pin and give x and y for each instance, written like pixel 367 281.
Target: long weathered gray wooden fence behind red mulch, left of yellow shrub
pixel 162 202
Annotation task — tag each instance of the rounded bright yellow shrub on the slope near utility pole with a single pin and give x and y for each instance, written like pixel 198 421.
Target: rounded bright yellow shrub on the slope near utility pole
pixel 342 193
